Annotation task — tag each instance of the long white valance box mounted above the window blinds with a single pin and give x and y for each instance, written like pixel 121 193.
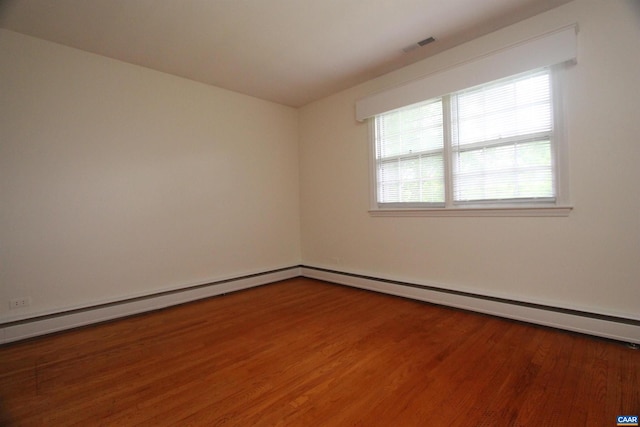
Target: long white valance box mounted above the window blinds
pixel 548 49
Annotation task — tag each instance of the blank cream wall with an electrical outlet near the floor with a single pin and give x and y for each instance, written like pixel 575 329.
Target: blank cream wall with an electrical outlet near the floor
pixel 117 181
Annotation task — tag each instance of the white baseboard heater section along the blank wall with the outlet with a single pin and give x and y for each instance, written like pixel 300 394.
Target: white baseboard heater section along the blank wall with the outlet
pixel 69 319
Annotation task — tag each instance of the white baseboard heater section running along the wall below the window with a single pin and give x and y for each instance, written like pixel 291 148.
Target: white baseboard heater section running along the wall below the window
pixel 621 329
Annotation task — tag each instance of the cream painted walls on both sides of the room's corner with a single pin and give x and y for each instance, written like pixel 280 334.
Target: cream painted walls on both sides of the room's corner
pixel 118 181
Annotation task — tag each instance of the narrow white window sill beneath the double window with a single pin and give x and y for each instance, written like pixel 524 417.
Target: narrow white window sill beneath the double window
pixel 511 211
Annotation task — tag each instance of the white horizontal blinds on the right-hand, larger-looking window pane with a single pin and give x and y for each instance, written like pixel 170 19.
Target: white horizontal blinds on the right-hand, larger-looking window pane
pixel 501 136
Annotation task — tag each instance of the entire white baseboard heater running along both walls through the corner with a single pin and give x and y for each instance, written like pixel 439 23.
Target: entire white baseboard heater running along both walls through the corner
pixel 621 328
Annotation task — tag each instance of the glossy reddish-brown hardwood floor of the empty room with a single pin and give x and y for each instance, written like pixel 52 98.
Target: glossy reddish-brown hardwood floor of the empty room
pixel 307 353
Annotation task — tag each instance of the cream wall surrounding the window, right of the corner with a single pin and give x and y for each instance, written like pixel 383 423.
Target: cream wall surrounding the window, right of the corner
pixel 589 260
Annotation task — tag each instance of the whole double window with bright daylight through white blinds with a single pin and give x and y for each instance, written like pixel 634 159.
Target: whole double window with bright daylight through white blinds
pixel 491 146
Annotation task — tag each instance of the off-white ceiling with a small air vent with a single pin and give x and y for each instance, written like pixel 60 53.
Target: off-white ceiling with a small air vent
pixel 288 51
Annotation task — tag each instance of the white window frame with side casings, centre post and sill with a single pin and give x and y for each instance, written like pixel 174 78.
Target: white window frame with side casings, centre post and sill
pixel 559 207
